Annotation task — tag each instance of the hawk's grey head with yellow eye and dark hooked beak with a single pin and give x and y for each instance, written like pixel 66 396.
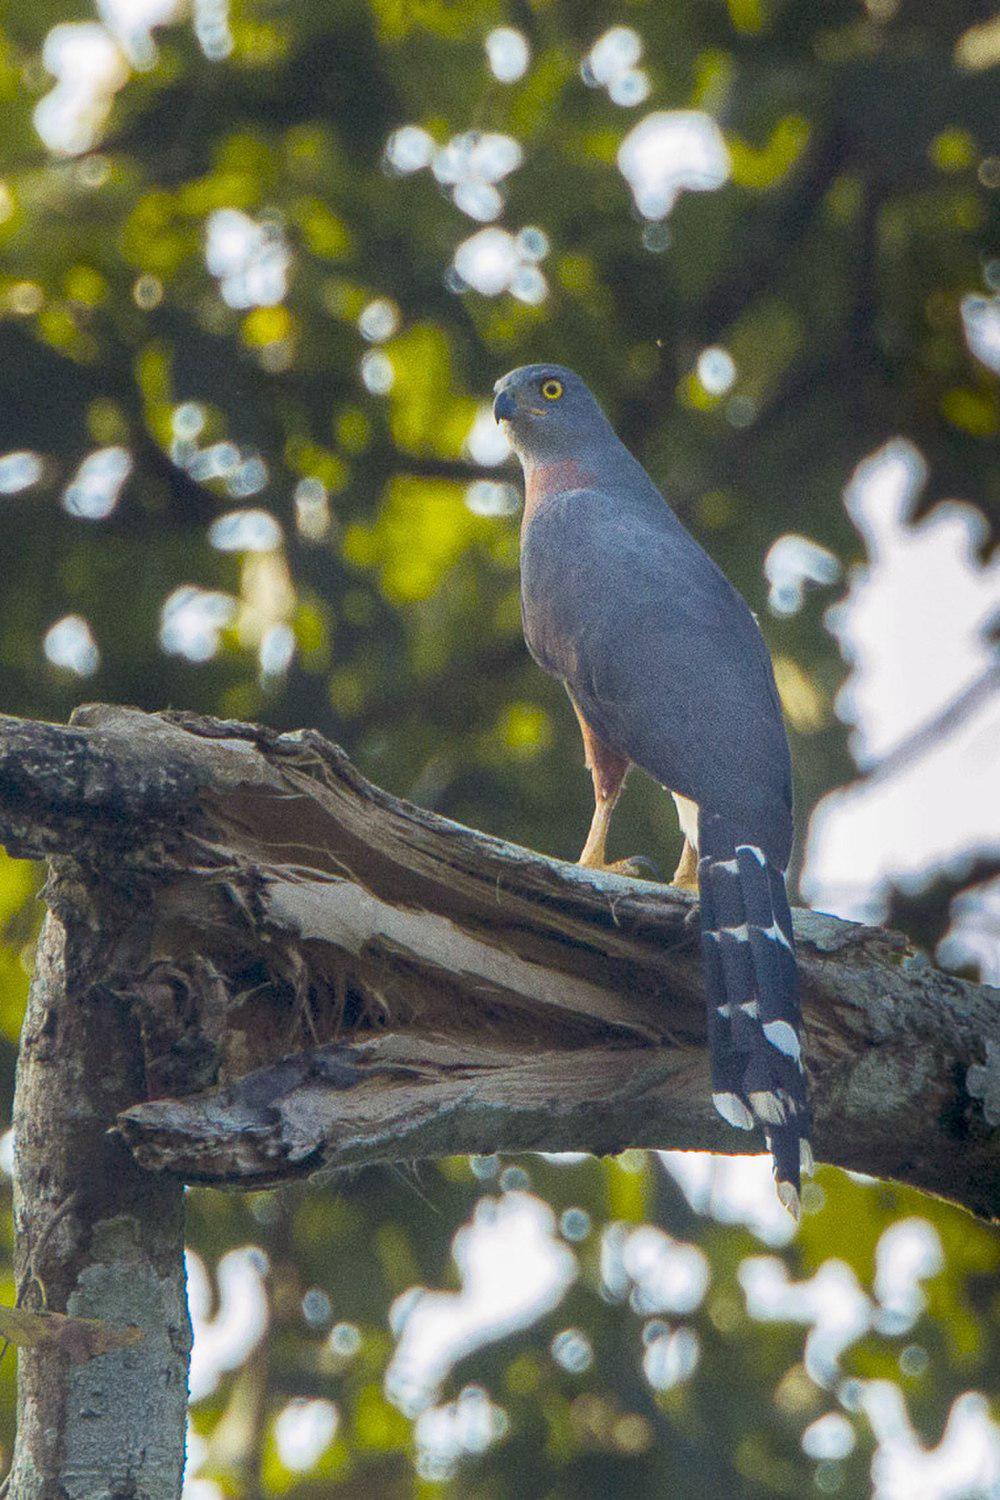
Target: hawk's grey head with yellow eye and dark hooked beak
pixel 548 413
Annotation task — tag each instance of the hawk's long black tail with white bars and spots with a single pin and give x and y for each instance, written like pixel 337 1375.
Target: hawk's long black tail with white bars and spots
pixel 753 1000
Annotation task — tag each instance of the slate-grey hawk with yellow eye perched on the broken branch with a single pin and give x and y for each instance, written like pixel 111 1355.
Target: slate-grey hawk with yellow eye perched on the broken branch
pixel 666 670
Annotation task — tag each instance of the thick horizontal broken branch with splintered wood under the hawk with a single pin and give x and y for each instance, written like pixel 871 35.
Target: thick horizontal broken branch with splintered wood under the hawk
pixel 329 977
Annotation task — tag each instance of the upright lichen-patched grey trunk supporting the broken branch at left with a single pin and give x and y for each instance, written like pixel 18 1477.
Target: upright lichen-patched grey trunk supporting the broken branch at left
pixel 97 1237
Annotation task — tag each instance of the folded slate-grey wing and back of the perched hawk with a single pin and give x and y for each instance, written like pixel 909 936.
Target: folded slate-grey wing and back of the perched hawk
pixel 627 610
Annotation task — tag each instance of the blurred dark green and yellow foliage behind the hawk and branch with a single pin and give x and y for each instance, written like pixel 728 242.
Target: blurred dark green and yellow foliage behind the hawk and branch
pixel 831 268
